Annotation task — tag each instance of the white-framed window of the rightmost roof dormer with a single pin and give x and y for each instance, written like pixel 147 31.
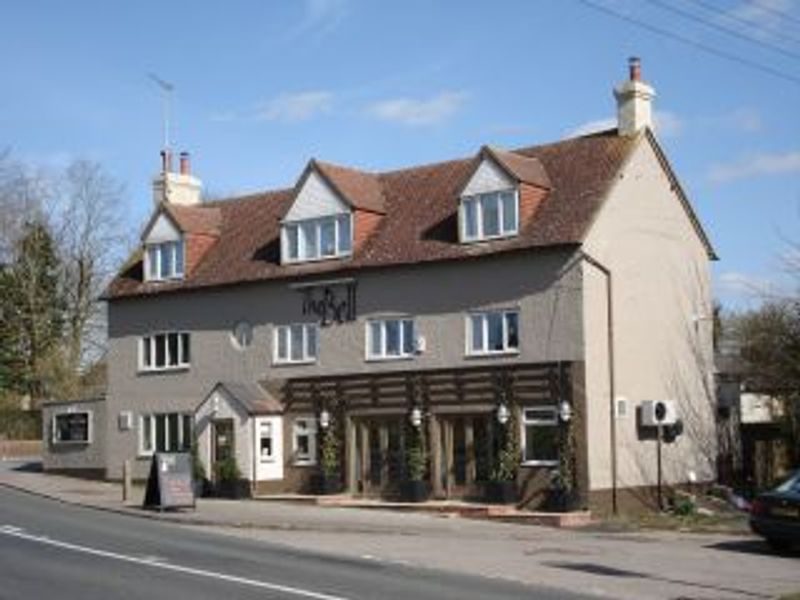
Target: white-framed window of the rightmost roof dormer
pixel 488 216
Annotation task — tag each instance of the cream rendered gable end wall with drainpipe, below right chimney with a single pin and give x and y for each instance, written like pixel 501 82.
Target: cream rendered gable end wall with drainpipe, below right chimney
pixel 662 330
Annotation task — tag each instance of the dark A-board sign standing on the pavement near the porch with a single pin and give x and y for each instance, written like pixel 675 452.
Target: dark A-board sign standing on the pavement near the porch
pixel 170 482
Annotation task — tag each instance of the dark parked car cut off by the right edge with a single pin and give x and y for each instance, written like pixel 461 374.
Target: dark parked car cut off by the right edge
pixel 775 515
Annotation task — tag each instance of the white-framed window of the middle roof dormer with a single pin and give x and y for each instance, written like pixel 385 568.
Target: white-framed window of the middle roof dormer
pixel 317 239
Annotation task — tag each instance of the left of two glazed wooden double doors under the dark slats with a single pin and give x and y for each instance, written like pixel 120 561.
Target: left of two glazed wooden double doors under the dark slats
pixel 380 452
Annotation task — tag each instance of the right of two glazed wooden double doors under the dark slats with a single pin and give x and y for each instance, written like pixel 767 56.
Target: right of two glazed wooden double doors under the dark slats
pixel 466 454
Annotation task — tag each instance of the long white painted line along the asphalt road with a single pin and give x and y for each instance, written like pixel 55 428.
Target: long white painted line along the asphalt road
pixel 12 531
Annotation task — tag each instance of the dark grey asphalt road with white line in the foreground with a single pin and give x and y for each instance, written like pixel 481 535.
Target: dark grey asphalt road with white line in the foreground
pixel 49 549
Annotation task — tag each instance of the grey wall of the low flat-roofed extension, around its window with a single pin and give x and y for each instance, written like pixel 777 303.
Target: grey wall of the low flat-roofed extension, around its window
pixel 75 456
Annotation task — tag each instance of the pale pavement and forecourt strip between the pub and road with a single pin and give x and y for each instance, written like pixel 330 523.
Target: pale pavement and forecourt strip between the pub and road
pixel 661 565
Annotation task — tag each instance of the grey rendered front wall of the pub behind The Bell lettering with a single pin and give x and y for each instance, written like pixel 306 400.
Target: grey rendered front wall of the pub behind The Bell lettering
pixel 546 286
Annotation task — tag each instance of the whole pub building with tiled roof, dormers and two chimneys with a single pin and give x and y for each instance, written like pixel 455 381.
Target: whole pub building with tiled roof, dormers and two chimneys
pixel 494 319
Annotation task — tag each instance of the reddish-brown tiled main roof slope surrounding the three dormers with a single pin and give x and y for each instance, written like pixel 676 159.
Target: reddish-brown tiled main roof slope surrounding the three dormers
pixel 420 222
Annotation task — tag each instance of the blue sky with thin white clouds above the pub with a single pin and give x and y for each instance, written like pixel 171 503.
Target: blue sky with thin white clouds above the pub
pixel 262 86
